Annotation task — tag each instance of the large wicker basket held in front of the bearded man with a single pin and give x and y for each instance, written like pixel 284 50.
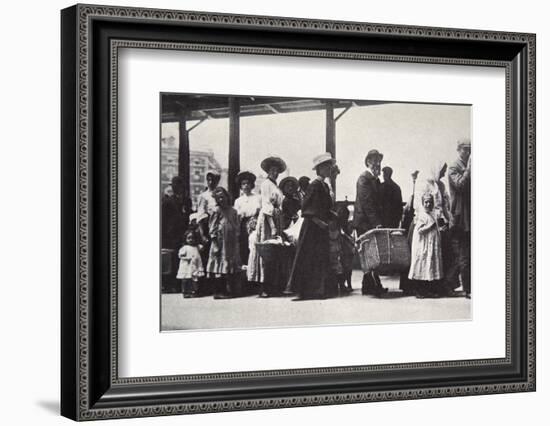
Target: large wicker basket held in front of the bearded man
pixel 384 250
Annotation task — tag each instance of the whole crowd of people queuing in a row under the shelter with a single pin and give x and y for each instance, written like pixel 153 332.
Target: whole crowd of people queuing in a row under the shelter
pixel 292 237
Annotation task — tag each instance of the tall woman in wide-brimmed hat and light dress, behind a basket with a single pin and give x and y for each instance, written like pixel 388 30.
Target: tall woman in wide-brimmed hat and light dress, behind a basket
pixel 269 220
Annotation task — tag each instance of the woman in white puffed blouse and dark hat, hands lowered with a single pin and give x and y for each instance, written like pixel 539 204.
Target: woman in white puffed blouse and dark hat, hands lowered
pixel 248 207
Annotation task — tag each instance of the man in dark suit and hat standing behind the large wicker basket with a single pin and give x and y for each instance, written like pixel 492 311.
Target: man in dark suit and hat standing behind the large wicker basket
pixel 367 212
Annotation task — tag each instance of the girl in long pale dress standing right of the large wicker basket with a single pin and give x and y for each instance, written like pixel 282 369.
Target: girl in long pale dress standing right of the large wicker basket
pixel 426 259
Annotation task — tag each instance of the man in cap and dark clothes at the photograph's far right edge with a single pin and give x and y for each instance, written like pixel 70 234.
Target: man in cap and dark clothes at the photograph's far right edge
pixel 459 187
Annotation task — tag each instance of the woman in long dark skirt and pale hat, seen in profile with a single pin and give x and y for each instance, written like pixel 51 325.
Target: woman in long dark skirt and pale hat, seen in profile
pixel 310 269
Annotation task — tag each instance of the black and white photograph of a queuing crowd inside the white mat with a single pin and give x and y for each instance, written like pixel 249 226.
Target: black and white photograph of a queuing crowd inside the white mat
pixel 291 212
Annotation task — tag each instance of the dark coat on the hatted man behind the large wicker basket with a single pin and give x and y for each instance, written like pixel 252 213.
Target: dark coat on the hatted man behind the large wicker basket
pixel 368 205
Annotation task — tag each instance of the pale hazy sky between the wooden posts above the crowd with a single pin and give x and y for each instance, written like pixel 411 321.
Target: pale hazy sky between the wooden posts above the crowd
pixel 411 137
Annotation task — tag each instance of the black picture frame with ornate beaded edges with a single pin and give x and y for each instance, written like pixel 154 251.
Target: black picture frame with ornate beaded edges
pixel 90 386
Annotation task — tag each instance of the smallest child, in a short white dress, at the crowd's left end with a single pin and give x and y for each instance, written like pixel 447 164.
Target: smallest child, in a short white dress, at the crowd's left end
pixel 190 268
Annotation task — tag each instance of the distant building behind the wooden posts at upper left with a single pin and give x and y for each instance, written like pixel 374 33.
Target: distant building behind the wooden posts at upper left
pixel 200 163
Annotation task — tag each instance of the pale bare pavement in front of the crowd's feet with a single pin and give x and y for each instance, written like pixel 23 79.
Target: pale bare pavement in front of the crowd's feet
pixel 253 312
